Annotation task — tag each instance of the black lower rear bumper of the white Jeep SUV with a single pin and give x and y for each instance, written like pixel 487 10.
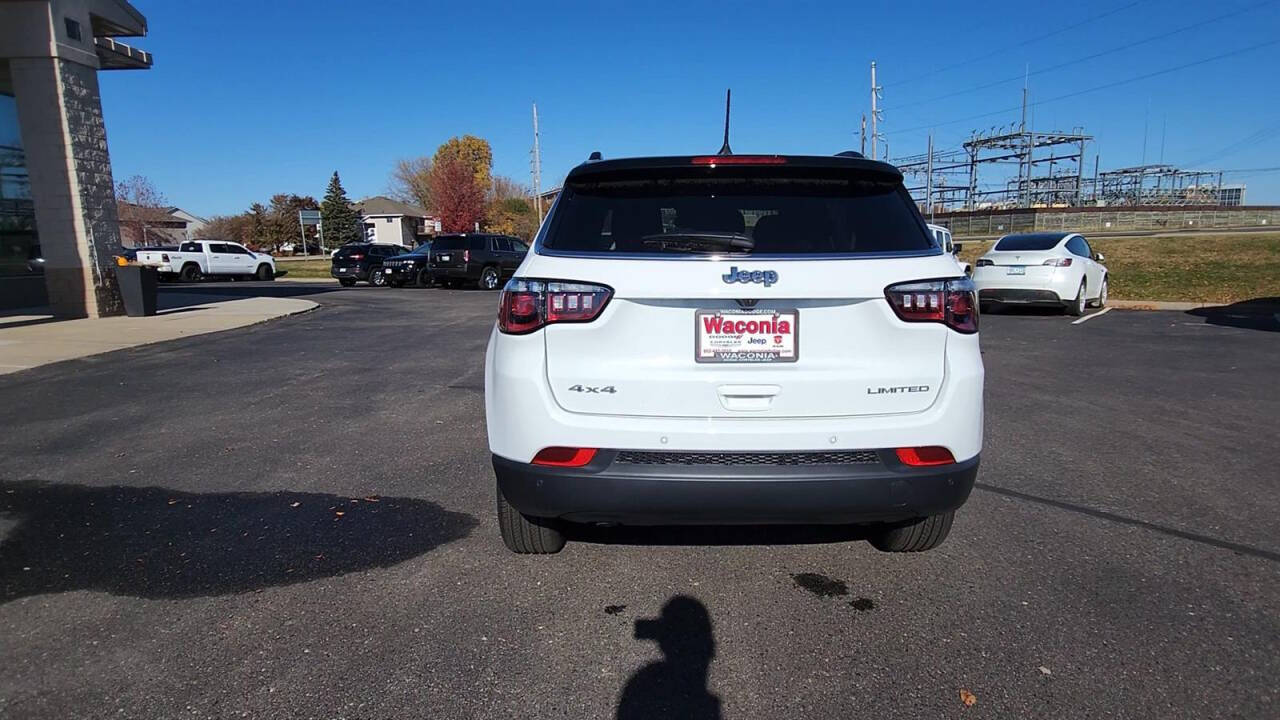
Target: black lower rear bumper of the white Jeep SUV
pixel 666 495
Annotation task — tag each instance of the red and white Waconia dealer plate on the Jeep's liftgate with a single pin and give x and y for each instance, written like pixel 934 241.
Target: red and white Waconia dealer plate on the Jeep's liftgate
pixel 747 336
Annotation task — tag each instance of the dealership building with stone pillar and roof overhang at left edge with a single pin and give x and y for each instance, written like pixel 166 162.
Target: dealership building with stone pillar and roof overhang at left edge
pixel 60 230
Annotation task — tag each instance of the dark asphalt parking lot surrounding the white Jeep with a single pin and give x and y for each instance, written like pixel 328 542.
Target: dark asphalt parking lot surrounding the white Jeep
pixel 296 521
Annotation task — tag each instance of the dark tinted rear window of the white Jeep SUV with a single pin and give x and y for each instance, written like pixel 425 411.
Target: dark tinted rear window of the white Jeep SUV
pixel 743 216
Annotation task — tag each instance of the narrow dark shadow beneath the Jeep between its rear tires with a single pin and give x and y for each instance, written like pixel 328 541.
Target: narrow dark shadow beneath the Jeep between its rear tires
pixel 716 535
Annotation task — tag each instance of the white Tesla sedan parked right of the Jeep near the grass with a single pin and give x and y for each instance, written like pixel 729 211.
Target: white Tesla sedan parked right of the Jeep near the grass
pixel 1045 268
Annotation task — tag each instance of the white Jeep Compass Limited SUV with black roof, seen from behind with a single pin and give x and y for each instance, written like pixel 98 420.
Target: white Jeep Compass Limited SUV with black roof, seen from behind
pixel 735 340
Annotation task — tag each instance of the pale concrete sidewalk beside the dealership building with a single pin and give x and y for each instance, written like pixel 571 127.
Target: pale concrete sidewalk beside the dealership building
pixel 34 340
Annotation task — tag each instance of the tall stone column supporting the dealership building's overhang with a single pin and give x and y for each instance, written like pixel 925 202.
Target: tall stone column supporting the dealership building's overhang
pixel 65 139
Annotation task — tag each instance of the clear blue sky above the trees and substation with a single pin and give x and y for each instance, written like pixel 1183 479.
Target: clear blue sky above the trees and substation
pixel 250 99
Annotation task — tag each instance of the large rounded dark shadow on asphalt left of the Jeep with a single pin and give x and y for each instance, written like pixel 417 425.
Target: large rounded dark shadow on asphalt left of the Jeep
pixel 159 544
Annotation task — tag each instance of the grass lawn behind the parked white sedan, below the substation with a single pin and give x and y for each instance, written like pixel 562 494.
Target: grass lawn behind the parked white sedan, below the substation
pixel 1199 268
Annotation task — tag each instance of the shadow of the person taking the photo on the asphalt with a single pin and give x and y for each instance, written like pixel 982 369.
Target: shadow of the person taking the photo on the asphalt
pixel 675 686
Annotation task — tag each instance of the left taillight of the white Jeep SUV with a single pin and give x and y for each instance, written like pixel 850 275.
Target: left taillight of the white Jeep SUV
pixel 528 306
